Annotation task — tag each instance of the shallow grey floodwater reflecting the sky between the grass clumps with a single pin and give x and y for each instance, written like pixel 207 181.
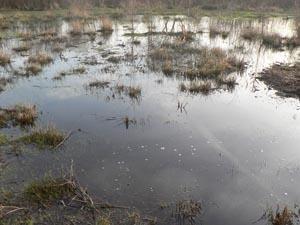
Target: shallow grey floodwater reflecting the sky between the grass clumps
pixel 237 152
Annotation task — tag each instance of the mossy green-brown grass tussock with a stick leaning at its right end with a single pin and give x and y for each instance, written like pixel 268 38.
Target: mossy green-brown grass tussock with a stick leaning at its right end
pixel 48 137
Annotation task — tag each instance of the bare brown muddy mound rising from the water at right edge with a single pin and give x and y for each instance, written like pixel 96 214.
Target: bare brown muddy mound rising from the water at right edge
pixel 284 78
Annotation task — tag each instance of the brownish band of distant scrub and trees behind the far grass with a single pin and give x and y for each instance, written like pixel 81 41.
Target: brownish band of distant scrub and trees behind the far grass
pixel 206 4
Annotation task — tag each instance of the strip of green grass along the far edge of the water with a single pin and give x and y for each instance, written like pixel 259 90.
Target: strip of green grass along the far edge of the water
pixel 118 12
